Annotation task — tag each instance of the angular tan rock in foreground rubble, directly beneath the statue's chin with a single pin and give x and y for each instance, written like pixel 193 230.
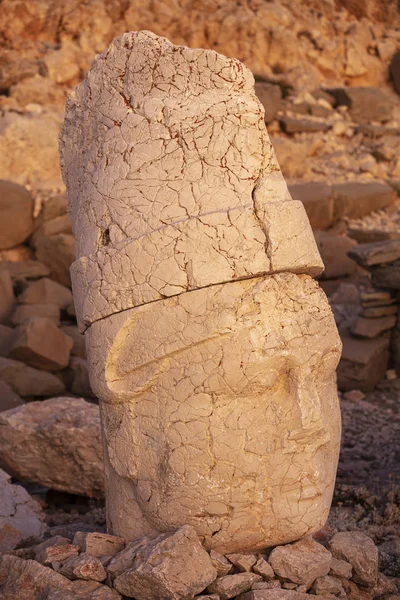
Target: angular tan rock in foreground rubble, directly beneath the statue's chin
pixel 302 562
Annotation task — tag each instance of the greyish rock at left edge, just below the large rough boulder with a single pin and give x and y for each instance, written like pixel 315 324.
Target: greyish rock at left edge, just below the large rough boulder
pixel 20 516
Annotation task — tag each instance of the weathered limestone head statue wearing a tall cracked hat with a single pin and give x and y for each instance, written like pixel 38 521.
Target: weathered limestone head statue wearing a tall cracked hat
pixel 211 348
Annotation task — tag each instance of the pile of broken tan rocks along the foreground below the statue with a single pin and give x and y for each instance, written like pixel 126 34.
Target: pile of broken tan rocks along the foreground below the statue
pixel 175 566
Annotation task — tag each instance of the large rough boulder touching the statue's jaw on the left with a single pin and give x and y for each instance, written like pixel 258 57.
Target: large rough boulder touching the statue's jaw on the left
pixel 55 443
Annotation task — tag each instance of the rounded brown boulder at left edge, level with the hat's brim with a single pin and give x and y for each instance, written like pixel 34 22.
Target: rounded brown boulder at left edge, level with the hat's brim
pixel 16 208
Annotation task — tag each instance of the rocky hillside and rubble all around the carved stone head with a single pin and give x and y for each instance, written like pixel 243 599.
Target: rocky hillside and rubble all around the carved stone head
pixel 328 75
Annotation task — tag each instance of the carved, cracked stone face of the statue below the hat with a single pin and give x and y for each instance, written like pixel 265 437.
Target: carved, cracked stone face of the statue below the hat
pixel 220 410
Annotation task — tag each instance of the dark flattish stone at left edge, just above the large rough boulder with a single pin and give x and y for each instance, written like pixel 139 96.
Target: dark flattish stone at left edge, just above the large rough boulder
pixel 26 381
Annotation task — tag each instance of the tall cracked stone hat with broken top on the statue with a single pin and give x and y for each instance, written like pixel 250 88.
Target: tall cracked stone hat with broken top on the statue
pixel 172 180
